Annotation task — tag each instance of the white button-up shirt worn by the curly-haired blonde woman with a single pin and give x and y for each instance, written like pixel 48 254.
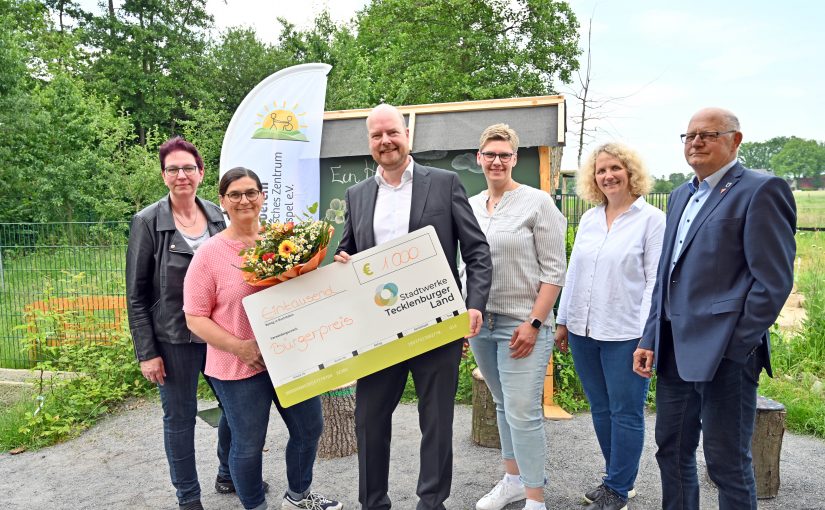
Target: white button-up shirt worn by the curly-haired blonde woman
pixel 612 272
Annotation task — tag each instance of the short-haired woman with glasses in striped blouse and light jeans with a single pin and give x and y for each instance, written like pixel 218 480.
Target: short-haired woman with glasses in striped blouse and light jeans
pixel 526 233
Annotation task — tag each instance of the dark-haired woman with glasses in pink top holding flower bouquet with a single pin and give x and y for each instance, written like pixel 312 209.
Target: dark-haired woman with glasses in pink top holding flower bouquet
pixel 212 294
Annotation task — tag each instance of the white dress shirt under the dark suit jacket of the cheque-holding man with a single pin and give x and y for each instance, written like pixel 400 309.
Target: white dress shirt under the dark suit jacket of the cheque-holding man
pixel 391 218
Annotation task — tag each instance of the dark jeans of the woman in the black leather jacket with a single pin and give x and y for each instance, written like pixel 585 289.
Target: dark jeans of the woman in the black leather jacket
pixel 179 398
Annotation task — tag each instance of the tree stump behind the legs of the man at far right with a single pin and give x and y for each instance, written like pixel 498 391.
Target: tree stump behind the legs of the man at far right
pixel 767 445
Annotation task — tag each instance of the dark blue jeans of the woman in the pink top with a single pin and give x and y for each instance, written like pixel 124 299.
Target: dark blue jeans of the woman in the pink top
pixel 246 403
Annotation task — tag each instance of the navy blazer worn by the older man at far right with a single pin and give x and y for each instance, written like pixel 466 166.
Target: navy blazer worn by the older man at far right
pixel 733 275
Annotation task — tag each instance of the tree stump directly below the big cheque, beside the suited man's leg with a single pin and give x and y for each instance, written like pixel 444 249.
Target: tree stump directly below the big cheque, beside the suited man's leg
pixel 338 438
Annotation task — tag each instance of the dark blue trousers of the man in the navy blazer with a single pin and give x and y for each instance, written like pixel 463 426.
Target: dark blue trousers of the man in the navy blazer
pixel 723 410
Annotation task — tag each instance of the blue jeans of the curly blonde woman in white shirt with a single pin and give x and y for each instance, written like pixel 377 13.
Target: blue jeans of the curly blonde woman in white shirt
pixel 617 400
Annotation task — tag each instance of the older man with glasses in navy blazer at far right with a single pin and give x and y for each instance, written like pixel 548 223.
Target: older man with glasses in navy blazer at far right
pixel 725 271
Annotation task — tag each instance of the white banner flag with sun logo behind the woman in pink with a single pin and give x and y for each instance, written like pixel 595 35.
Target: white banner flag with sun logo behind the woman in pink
pixel 276 132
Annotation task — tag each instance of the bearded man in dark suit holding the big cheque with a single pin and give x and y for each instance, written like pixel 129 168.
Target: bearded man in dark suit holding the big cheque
pixel 403 197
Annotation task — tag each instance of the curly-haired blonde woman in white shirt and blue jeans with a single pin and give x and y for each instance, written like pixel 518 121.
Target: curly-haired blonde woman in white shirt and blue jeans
pixel 604 306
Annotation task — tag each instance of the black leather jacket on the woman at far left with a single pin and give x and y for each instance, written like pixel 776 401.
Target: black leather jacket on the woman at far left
pixel 156 262
